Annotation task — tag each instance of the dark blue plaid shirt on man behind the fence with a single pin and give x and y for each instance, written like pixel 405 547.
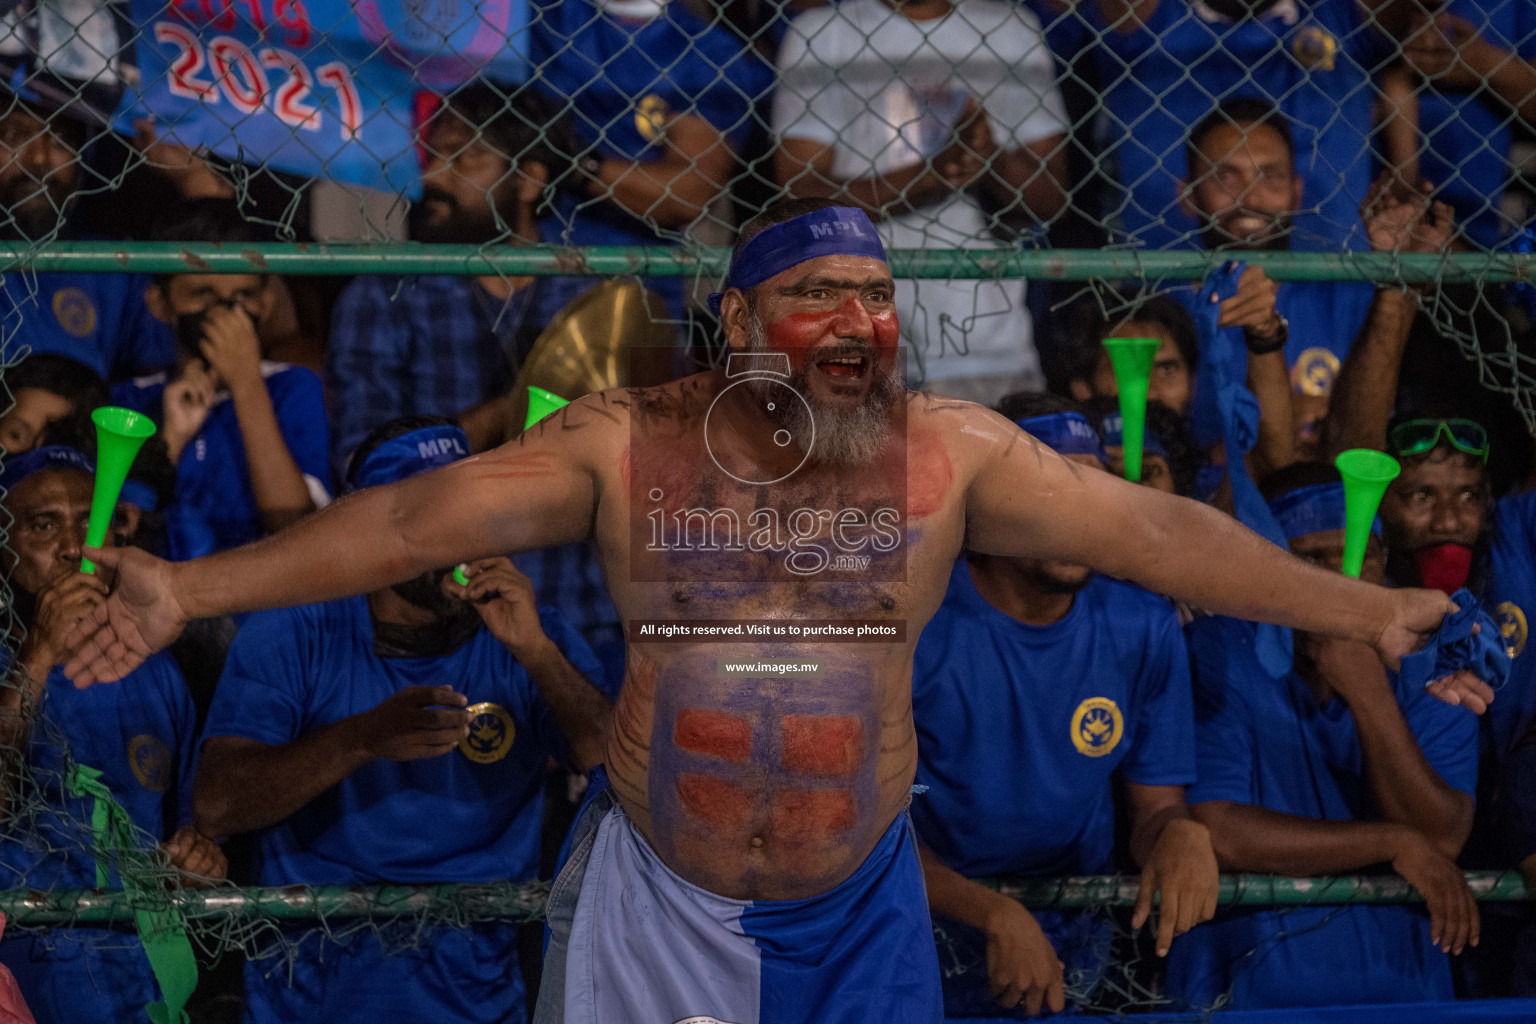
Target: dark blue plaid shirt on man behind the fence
pixel 419 346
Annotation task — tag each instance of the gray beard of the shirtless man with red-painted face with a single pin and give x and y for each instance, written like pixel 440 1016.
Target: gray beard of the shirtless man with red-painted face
pixel 842 438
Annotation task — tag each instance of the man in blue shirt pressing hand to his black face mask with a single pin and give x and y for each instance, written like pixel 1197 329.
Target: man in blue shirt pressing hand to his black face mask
pixel 248 437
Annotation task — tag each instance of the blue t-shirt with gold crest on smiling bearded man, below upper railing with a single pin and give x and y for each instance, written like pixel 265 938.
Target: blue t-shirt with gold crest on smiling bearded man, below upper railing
pixel 1323 317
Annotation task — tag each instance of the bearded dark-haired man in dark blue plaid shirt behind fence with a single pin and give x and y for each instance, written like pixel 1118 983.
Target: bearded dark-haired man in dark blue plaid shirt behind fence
pixel 442 345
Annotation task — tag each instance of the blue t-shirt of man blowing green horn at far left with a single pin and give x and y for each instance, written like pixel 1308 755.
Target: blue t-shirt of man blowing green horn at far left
pixel 141 735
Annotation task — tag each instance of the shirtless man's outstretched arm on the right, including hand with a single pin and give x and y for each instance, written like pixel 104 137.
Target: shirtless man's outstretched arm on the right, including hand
pixel 1027 501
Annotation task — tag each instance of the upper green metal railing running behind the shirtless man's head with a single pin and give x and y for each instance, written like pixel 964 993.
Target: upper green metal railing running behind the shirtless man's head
pixel 1062 265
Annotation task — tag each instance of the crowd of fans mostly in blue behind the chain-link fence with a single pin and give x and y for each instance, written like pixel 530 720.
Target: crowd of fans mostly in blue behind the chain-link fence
pixel 1068 724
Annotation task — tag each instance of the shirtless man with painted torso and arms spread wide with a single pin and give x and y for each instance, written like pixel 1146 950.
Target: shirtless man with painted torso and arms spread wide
pixel 756 825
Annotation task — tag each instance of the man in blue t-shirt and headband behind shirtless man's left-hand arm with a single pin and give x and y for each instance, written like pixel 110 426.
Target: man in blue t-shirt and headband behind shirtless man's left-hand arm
pixel 400 738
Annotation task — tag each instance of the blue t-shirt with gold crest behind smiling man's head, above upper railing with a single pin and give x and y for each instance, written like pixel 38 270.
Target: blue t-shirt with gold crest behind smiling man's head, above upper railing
pixel 1309 58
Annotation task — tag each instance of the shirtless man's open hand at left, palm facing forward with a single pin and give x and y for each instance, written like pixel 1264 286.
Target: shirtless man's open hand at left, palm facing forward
pixel 141 618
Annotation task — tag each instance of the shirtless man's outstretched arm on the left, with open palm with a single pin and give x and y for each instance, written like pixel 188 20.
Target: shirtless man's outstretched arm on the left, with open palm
pixel 534 492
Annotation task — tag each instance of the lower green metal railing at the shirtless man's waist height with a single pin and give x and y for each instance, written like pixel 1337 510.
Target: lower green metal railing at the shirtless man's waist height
pixel 526 902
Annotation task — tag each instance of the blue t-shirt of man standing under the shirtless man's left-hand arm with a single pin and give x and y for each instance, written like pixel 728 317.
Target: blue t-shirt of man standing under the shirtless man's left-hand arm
pixel 469 816
